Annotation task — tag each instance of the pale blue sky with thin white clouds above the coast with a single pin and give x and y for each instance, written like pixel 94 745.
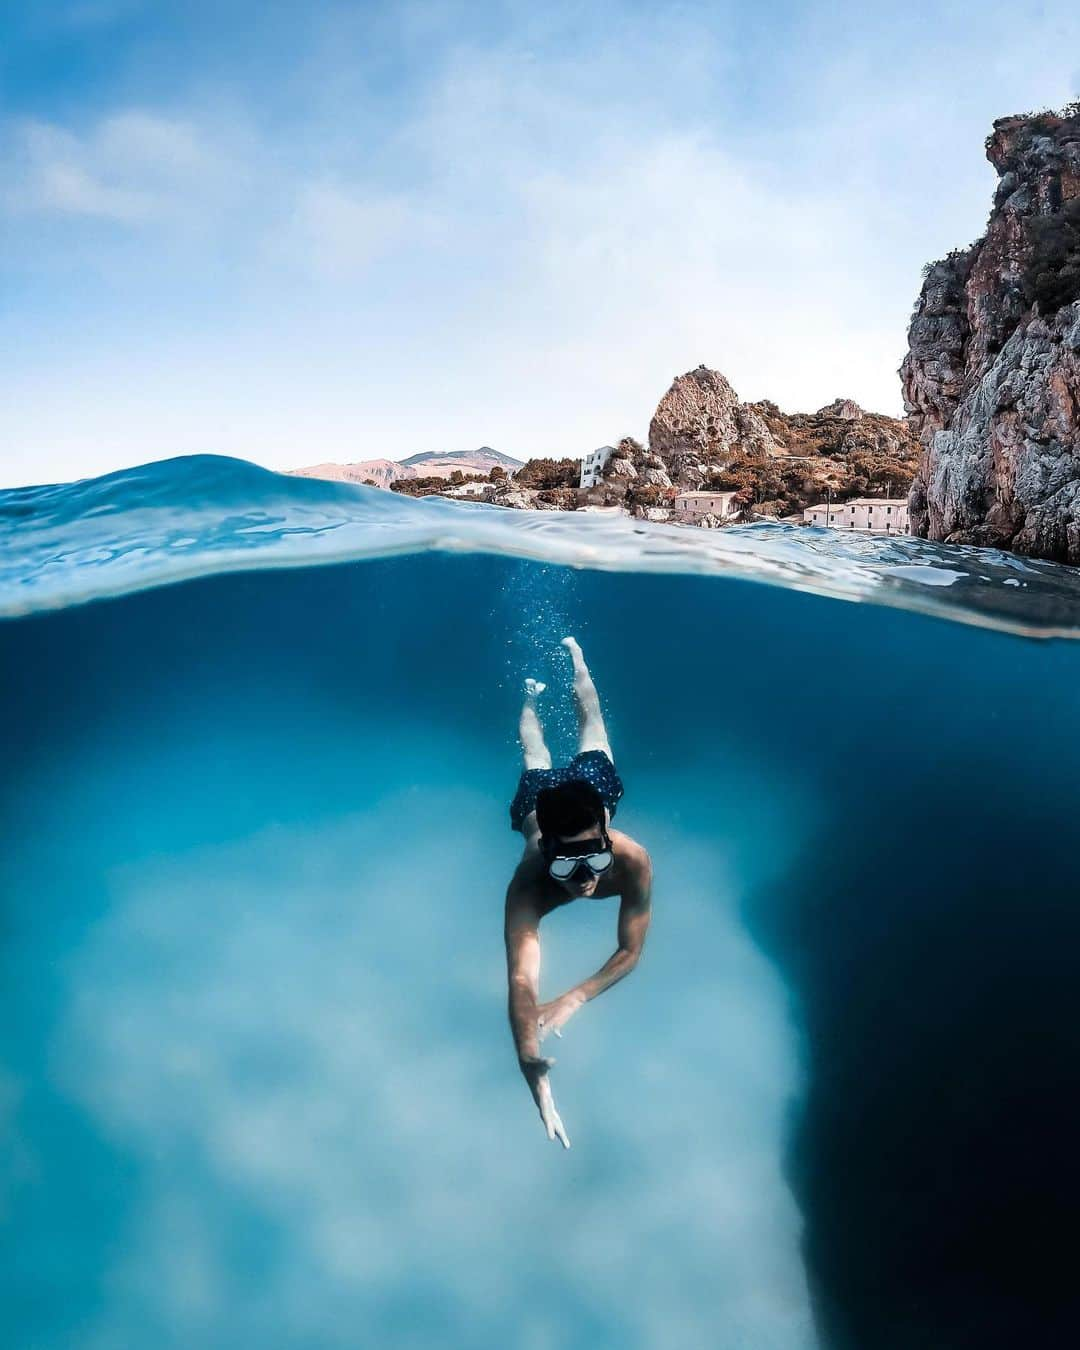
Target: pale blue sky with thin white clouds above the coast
pixel 342 232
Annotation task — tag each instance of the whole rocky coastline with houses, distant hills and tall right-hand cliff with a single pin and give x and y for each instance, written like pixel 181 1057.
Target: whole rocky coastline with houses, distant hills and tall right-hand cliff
pixel 990 449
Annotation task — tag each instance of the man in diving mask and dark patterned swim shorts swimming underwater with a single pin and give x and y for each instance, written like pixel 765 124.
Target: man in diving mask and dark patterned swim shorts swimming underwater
pixel 572 854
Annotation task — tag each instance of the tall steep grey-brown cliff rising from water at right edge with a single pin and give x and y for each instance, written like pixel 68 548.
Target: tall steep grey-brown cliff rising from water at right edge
pixel 993 373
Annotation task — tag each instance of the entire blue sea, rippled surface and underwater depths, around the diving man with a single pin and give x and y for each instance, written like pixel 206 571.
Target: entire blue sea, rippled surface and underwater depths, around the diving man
pixel 257 1086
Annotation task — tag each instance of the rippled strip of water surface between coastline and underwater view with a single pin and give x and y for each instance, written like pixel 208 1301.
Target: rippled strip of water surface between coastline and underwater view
pixel 180 519
